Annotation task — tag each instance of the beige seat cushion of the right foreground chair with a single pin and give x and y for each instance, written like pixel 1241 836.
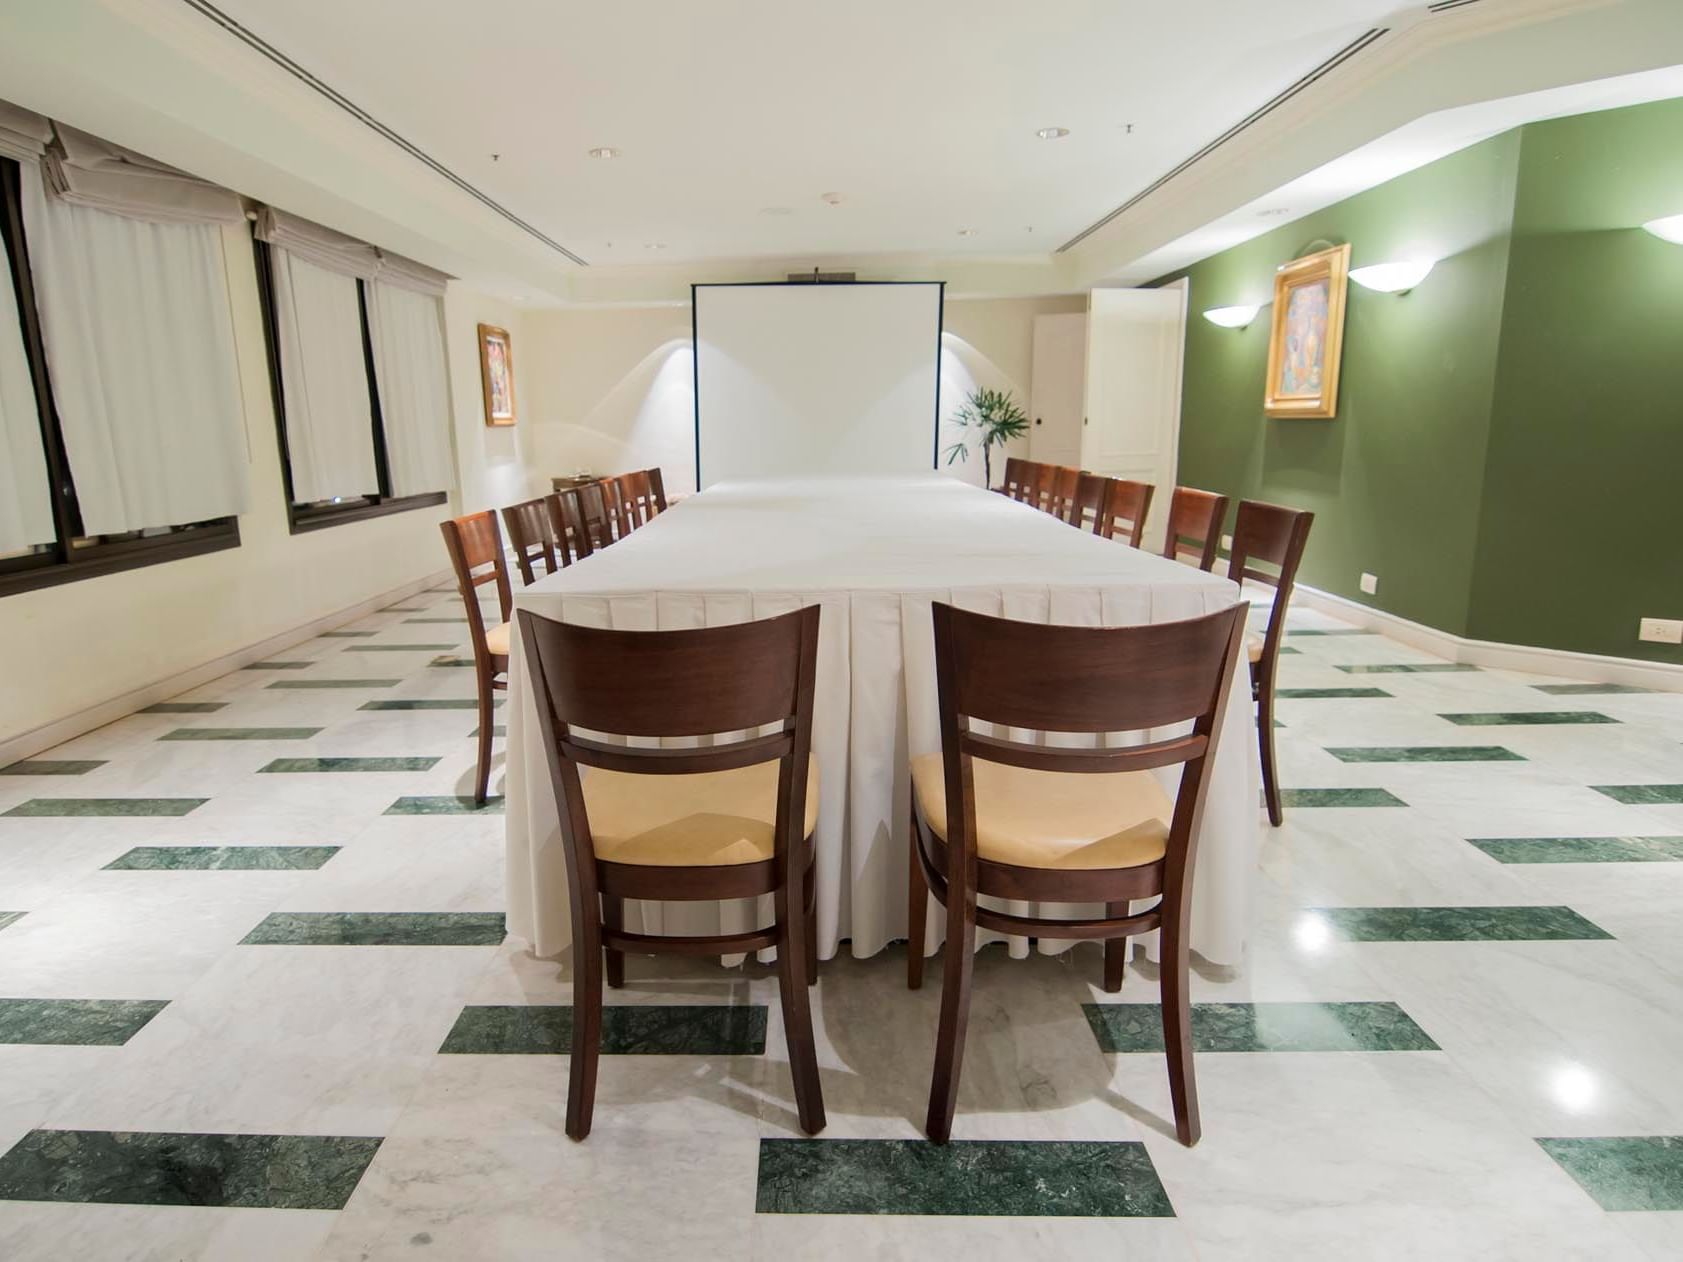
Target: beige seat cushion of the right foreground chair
pixel 1054 819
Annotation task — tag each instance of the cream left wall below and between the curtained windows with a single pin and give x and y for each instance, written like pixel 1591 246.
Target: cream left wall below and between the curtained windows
pixel 82 645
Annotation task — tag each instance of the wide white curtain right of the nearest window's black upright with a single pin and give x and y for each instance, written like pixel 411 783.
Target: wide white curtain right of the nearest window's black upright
pixel 141 349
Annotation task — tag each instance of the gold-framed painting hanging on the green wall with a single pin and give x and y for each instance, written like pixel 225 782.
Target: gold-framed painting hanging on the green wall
pixel 1309 337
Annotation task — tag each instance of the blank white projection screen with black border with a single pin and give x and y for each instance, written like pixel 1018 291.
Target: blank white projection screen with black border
pixel 802 379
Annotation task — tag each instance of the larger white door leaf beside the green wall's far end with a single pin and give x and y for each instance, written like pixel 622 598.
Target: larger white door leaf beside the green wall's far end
pixel 1135 342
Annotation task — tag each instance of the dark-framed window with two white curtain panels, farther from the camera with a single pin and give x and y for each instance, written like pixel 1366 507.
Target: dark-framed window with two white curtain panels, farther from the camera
pixel 358 369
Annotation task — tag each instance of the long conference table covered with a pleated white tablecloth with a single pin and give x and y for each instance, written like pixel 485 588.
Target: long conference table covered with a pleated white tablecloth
pixel 874 554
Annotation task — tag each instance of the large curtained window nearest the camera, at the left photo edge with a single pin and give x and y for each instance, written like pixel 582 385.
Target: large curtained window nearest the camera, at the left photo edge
pixel 122 450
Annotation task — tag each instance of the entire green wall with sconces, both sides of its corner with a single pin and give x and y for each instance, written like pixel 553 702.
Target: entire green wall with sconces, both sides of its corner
pixel 1509 445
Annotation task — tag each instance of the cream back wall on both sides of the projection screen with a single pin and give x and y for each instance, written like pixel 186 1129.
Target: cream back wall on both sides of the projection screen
pixel 612 390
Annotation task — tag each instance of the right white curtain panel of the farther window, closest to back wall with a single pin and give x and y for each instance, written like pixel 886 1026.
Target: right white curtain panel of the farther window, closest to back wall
pixel 408 334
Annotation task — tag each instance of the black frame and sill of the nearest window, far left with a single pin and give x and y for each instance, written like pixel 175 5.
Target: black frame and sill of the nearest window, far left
pixel 75 556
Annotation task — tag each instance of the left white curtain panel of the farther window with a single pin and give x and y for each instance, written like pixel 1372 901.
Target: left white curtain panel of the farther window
pixel 326 381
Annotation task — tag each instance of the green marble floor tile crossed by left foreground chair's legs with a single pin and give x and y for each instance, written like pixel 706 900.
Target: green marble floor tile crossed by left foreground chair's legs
pixel 629 1031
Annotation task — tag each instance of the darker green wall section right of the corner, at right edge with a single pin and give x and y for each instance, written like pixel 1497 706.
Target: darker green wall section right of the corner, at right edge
pixel 1583 519
